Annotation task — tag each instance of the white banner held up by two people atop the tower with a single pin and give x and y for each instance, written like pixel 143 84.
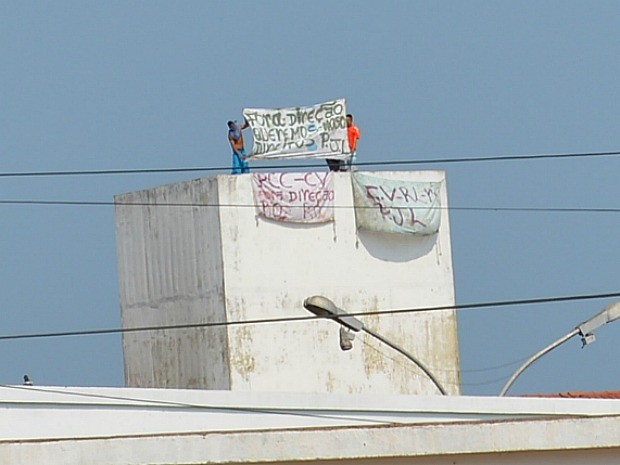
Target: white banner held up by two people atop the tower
pixel 319 131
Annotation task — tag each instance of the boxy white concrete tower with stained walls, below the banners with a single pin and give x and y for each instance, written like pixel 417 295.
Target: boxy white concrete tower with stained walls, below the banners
pixel 264 269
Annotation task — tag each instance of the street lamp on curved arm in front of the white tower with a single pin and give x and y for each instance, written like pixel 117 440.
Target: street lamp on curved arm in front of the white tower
pixel 325 308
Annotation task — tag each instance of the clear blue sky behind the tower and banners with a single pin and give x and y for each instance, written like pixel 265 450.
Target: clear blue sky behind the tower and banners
pixel 141 85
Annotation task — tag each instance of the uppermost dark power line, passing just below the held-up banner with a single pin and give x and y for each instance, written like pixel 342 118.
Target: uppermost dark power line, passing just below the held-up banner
pixel 310 165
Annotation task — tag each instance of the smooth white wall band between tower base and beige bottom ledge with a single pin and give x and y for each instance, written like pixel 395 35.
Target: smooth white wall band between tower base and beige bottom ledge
pixel 47 412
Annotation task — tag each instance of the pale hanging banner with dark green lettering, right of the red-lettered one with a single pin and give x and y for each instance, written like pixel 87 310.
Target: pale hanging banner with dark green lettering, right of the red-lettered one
pixel 396 206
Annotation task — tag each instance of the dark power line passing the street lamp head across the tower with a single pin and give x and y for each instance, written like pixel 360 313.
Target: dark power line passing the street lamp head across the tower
pixel 471 306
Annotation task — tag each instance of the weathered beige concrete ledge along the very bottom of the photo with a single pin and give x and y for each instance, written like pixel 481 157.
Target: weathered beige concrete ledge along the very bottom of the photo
pixel 490 441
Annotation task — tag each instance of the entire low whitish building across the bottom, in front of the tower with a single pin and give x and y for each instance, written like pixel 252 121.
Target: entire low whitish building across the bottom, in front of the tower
pixel 97 426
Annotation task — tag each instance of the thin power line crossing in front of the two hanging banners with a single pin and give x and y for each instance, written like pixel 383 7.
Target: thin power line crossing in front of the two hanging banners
pixel 109 203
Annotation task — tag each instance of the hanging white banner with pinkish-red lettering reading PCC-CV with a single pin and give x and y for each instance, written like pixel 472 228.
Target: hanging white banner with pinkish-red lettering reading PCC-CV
pixel 294 197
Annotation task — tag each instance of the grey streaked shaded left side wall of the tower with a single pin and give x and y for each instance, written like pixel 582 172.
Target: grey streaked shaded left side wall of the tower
pixel 170 268
